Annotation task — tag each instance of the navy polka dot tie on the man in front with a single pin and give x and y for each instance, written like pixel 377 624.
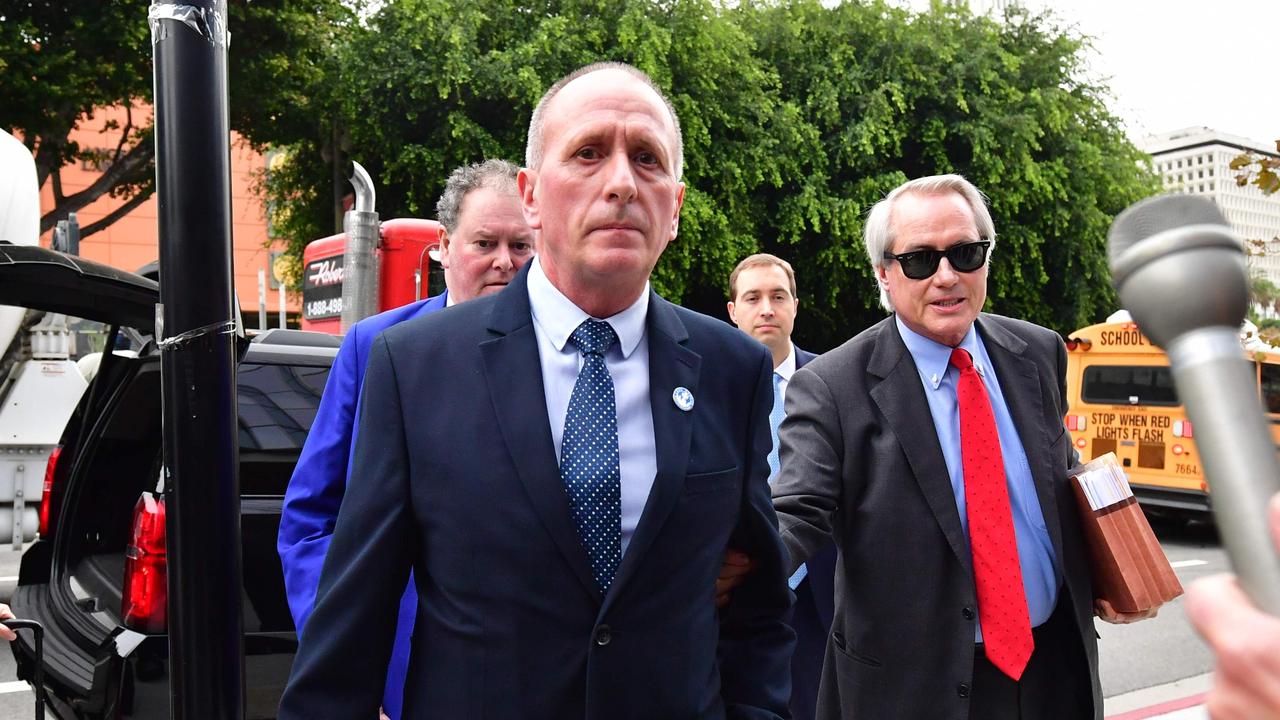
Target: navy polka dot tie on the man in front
pixel 589 454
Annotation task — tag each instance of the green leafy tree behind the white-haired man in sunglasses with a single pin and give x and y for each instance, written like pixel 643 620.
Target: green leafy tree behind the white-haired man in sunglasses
pixel 897 95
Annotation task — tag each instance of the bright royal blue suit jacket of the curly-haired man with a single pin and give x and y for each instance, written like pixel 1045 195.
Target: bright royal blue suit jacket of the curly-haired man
pixel 321 481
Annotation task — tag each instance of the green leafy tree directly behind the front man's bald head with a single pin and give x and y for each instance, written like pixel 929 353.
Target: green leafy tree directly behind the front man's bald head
pixel 433 85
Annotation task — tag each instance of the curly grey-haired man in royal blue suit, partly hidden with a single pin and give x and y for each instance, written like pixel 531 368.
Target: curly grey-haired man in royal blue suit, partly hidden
pixel 484 241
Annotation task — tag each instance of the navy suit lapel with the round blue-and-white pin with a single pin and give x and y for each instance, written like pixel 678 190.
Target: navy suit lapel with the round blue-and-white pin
pixel 671 366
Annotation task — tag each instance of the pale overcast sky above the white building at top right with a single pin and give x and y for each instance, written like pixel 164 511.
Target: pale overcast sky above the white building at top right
pixel 1178 63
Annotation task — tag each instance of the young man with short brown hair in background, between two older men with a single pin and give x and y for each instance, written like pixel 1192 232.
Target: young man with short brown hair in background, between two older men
pixel 765 304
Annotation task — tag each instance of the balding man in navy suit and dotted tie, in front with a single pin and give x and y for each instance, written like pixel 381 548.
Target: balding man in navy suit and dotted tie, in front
pixel 565 499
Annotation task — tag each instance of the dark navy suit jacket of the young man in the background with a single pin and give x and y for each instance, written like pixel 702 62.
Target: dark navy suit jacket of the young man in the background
pixel 811 618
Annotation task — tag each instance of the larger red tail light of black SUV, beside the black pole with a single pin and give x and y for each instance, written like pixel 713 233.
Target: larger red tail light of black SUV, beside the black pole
pixel 147 575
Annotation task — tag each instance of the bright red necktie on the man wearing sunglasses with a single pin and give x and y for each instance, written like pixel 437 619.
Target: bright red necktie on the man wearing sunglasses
pixel 1007 627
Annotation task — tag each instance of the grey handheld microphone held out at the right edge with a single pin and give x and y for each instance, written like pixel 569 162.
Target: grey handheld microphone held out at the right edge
pixel 1181 272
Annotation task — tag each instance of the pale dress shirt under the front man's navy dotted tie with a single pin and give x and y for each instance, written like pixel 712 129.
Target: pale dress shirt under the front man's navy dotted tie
pixel 555 321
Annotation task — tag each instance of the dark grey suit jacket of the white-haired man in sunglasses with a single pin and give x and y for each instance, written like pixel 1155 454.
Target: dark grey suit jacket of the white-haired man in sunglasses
pixel 862 463
